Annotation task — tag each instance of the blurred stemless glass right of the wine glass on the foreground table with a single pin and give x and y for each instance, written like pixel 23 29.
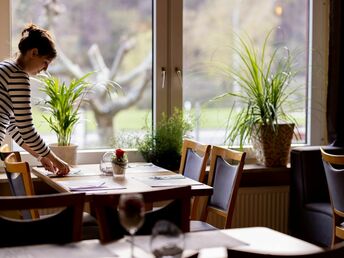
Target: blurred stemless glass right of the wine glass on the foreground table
pixel 167 240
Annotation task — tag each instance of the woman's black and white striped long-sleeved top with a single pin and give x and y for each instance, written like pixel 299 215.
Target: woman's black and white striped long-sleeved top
pixel 15 108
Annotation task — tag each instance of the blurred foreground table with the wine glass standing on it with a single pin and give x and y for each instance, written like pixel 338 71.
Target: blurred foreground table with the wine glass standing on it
pixel 208 244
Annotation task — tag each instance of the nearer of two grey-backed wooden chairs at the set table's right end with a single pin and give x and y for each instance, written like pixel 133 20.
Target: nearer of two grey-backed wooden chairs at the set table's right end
pixel 226 167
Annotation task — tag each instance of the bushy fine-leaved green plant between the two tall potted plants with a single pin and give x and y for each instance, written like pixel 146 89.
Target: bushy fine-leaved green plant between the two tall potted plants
pixel 162 145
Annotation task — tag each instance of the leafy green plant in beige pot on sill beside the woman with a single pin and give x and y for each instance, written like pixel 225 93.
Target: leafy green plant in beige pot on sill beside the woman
pixel 62 111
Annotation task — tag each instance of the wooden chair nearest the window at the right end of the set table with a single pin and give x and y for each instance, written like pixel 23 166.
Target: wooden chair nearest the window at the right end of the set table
pixel 193 165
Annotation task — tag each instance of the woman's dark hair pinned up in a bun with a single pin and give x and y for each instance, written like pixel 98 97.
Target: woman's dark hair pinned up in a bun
pixel 35 37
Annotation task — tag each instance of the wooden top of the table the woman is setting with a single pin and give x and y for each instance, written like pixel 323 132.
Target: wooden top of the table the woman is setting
pixel 139 177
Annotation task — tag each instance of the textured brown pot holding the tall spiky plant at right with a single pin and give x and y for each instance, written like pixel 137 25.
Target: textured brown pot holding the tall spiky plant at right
pixel 272 146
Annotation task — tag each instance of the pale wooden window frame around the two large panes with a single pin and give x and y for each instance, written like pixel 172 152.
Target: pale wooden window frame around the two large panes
pixel 168 25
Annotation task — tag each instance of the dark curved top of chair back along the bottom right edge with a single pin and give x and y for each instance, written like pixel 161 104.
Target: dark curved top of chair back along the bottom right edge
pixel 335 252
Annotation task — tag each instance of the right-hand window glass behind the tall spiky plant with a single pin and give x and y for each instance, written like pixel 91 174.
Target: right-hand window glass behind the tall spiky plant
pixel 210 30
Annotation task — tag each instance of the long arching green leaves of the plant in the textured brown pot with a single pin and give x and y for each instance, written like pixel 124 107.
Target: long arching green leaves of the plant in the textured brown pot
pixel 264 88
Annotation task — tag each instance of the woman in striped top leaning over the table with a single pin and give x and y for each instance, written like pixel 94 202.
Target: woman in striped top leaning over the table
pixel 36 51
